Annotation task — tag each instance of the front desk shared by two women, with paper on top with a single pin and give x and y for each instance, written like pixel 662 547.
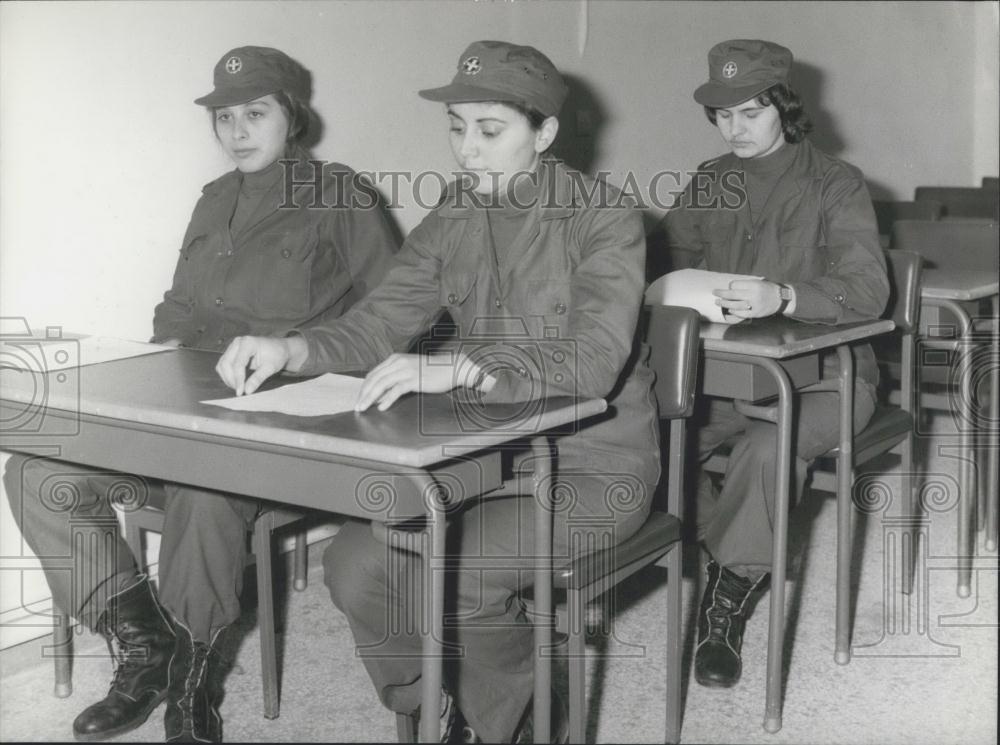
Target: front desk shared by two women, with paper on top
pixel 421 457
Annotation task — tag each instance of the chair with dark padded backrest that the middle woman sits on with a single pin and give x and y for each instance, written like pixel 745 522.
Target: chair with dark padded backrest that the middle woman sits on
pixel 673 338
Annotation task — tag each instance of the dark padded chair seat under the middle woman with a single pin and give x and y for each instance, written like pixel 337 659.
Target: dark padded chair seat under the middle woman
pixel 651 541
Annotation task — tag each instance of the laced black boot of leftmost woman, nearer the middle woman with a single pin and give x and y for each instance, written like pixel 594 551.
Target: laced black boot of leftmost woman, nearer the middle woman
pixel 195 690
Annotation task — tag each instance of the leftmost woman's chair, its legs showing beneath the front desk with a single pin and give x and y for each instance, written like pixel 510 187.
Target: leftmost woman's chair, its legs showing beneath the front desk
pixel 150 517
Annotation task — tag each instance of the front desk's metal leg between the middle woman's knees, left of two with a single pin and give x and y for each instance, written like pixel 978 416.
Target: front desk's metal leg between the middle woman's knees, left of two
pixel 430 705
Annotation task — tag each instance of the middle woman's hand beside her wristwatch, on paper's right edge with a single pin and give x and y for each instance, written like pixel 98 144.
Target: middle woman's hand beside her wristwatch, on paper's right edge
pixel 408 373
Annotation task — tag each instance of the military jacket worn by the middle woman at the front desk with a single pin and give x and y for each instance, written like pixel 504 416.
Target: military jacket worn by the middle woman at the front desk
pixel 554 314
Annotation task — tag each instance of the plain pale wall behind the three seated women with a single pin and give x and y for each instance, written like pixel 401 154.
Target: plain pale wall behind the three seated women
pixel 103 152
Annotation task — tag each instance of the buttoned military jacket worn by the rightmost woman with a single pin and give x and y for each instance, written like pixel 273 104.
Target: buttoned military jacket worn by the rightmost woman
pixel 817 233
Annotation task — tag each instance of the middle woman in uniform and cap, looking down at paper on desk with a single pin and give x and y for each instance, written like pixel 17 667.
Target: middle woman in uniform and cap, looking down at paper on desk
pixel 516 250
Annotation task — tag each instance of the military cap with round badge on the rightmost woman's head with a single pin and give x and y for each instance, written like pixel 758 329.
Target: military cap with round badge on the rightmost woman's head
pixel 739 69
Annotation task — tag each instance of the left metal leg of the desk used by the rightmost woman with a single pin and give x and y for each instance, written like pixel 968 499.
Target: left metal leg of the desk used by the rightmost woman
pixel 783 464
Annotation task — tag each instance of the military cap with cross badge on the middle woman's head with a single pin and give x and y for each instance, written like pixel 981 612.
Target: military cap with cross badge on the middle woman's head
pixel 501 71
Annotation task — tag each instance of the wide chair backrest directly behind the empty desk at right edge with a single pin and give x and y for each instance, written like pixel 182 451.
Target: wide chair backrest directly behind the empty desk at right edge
pixel 955 244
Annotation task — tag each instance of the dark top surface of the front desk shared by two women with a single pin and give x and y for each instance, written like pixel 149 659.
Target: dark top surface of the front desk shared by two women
pixel 163 390
